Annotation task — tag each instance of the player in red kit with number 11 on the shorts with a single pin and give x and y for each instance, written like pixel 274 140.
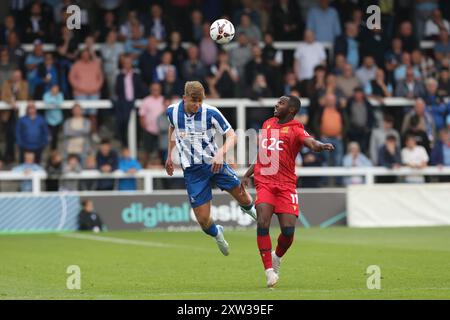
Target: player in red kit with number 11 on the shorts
pixel 275 180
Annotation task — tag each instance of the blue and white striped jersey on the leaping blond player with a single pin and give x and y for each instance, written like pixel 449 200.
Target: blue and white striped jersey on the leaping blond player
pixel 195 133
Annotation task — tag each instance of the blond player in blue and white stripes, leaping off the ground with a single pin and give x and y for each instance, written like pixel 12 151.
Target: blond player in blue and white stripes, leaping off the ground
pixel 193 125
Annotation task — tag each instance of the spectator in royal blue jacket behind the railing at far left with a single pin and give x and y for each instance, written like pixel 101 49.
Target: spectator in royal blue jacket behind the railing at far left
pixel 32 133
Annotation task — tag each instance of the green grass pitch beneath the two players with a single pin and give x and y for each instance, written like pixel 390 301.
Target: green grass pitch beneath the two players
pixel 322 264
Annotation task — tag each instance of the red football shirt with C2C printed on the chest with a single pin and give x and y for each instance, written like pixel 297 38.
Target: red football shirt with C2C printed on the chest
pixel 278 146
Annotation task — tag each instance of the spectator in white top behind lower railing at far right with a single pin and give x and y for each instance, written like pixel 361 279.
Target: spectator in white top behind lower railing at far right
pixel 415 157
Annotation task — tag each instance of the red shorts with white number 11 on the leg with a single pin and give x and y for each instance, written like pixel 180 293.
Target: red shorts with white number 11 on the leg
pixel 283 198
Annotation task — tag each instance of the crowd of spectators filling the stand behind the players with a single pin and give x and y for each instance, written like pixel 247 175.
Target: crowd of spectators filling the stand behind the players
pixel 130 50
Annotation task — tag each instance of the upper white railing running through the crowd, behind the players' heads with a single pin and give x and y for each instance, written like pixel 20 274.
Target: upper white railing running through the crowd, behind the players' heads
pixel 239 104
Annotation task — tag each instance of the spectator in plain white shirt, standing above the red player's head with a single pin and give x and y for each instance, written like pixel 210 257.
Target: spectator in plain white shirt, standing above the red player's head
pixel 307 56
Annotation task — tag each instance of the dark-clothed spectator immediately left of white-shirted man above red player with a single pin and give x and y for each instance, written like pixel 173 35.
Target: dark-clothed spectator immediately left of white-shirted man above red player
pixel 273 58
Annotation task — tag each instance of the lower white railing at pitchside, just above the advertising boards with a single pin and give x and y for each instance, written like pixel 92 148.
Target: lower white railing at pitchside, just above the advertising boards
pixel 148 175
